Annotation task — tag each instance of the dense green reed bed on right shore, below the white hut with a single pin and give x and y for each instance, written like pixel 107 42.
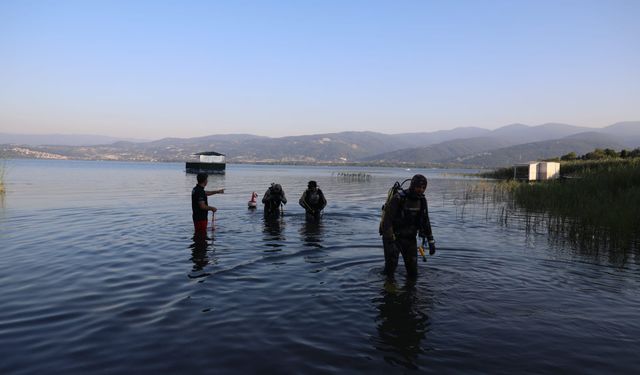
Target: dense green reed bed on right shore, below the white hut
pixel 605 197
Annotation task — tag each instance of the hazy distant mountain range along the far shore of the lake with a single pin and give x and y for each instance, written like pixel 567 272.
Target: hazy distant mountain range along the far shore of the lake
pixel 470 146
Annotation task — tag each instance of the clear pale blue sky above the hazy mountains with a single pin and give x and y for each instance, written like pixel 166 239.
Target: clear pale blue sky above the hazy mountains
pixel 152 69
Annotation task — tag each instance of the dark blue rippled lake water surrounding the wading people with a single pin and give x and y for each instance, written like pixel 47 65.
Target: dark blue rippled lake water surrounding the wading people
pixel 99 273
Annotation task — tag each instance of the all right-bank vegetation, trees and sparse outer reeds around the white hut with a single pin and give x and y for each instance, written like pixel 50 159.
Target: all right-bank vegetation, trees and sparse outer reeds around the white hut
pixel 596 203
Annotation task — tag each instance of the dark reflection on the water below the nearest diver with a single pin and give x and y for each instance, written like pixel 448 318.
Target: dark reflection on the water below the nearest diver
pixel 402 323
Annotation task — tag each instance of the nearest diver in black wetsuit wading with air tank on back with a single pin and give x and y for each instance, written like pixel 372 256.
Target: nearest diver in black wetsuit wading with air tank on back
pixel 406 215
